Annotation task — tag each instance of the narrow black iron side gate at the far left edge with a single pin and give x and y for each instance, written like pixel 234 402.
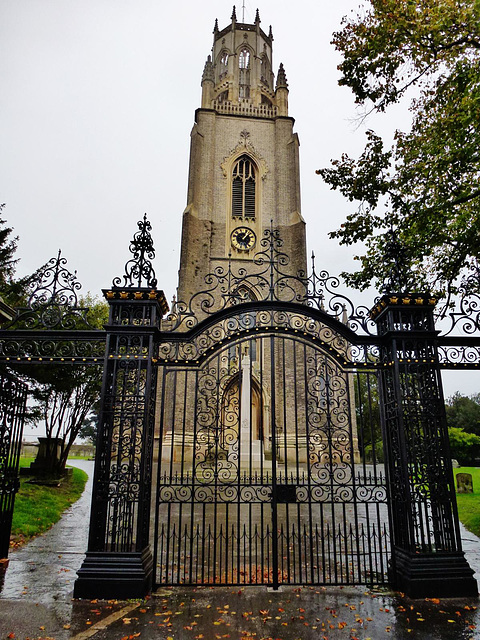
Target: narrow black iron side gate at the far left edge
pixel 13 397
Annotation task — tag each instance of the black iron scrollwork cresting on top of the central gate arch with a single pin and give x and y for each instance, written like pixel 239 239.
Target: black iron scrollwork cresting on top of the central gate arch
pixel 269 281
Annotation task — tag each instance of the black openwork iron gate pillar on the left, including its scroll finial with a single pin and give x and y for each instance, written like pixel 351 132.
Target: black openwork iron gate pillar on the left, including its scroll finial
pixel 118 563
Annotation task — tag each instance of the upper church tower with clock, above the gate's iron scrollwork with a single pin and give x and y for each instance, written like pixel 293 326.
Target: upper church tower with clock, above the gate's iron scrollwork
pixel 244 165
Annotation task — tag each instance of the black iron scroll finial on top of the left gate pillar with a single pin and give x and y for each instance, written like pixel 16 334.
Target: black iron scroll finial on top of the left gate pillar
pixel 139 268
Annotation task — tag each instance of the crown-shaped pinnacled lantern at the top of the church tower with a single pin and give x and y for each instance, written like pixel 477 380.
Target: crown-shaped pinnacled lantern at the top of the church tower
pixel 238 77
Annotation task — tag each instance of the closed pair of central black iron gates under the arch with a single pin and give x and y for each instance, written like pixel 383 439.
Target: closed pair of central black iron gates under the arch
pixel 259 474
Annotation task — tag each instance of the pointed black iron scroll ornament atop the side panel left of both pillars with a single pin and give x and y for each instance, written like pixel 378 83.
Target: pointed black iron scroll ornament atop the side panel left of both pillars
pixel 52 300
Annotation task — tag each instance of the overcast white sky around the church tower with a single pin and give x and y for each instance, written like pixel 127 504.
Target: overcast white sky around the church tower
pixel 98 100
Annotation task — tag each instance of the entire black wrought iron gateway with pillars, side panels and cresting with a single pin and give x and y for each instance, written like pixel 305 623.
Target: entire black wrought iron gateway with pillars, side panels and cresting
pixel 277 401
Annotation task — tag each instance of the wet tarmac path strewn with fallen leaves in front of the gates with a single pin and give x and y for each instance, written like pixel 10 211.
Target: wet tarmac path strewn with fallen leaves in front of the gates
pixel 36 602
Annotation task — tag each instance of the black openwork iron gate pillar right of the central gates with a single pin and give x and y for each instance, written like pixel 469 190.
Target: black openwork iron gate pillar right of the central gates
pixel 427 556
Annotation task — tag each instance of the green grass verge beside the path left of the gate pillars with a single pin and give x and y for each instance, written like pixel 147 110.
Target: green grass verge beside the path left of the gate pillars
pixel 37 507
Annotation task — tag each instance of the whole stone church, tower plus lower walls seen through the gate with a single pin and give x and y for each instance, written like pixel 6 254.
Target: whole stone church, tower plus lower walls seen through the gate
pixel 244 189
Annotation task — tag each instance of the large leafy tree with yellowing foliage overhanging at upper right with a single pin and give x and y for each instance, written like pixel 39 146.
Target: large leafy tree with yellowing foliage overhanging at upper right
pixel 426 185
